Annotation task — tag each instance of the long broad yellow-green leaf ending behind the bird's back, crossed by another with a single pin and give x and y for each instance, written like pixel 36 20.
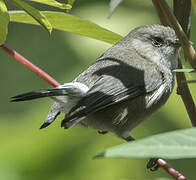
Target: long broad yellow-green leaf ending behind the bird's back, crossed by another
pixel 66 22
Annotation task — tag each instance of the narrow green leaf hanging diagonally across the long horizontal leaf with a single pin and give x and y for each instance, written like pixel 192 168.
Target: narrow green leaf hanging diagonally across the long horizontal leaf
pixel 37 15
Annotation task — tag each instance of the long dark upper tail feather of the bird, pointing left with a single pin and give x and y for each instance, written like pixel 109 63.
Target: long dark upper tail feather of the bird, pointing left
pixel 38 94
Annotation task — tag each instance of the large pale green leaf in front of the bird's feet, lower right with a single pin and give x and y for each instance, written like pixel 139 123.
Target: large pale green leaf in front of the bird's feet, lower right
pixel 172 145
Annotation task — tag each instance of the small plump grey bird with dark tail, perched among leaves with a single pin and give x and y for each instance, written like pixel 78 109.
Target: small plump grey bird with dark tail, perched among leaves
pixel 124 86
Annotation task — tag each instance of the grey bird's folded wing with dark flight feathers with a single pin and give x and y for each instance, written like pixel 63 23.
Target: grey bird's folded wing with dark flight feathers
pixel 106 92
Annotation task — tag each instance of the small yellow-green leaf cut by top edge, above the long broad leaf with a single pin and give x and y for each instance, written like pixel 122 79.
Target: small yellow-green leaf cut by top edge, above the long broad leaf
pixel 54 4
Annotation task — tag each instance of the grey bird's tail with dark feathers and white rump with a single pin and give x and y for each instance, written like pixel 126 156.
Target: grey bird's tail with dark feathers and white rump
pixel 75 90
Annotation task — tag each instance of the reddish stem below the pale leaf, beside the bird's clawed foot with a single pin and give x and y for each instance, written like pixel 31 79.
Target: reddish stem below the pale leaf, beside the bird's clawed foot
pixel 175 174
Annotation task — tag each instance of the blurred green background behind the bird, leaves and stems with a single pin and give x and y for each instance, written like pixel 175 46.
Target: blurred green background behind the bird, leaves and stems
pixel 54 153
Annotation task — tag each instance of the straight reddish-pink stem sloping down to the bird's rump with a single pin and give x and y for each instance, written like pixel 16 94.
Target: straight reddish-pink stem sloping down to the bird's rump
pixel 29 65
